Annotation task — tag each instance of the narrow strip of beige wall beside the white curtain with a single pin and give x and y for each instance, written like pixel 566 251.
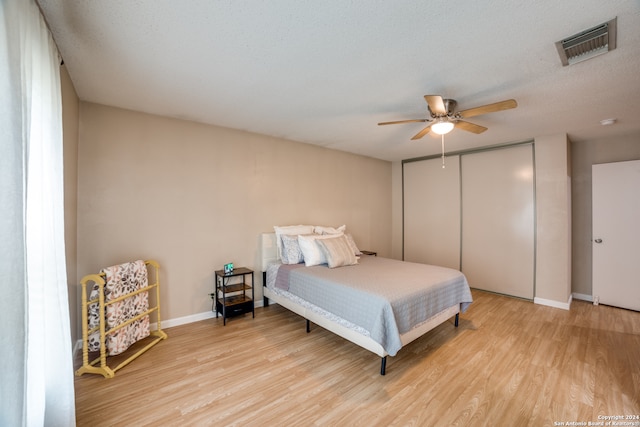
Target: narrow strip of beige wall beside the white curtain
pixel 70 116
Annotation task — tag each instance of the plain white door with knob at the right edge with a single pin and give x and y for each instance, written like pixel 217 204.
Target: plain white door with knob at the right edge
pixel 616 234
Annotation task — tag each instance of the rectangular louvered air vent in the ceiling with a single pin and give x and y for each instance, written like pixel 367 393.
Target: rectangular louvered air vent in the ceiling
pixel 587 44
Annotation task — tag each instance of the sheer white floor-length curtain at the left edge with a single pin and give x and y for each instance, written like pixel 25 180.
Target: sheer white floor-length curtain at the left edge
pixel 35 350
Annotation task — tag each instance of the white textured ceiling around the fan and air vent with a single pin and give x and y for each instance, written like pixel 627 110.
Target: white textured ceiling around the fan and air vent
pixel 326 72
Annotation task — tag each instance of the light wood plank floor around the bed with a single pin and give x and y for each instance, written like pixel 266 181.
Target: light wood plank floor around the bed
pixel 510 362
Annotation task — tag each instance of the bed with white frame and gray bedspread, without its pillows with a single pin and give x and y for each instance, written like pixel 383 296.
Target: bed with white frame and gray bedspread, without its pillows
pixel 377 303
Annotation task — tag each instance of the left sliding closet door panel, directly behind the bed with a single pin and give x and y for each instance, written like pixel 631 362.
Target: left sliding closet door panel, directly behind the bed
pixel 431 197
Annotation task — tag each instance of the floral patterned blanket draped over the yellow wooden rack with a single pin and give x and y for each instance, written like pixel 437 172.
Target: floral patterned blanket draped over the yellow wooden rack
pixel 121 280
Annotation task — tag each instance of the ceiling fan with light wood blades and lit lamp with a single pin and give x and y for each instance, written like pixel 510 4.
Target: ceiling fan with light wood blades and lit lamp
pixel 443 117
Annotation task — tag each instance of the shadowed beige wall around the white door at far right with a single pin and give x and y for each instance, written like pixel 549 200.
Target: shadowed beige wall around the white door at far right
pixel 584 155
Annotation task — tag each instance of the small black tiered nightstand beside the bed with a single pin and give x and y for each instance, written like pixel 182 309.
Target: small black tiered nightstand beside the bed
pixel 233 294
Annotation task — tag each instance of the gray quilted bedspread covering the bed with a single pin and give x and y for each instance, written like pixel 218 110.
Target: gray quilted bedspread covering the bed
pixel 384 296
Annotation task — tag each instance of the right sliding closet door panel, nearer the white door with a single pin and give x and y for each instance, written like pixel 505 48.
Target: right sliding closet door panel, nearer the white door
pixel 498 220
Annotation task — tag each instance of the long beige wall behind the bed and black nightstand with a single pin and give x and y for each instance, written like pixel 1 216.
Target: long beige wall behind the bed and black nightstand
pixel 194 197
